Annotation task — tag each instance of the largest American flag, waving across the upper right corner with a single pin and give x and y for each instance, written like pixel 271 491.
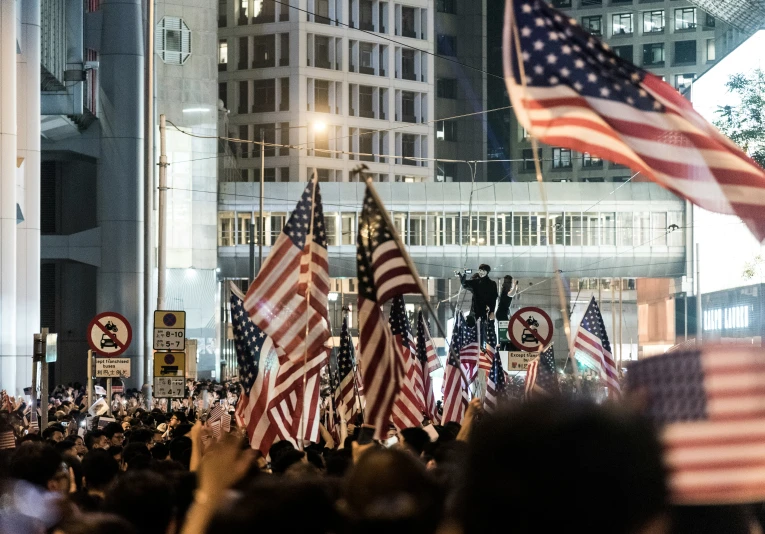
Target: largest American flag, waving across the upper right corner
pixel 573 91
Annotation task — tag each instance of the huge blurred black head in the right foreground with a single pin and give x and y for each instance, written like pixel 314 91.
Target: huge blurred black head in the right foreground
pixel 615 448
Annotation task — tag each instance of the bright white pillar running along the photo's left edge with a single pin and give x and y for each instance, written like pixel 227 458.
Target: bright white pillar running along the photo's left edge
pixel 8 21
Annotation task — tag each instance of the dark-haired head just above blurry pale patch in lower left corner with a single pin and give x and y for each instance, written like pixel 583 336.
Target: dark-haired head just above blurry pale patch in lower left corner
pixel 40 464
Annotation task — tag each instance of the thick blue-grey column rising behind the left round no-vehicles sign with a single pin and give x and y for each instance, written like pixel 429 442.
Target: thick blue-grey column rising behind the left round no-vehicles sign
pixel 120 214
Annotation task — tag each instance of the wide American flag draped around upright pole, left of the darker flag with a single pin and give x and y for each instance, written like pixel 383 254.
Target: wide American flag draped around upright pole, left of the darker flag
pixel 278 299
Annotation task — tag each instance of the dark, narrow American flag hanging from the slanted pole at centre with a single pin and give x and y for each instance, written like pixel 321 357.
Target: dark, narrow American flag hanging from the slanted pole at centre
pixel 383 273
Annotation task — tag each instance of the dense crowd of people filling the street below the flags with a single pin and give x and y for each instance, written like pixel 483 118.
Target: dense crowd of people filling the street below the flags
pixel 553 465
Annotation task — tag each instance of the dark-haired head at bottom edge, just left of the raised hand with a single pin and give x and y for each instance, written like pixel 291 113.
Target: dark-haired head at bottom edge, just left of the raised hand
pixel 143 498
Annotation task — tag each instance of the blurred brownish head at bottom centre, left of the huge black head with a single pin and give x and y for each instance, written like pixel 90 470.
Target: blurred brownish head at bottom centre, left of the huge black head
pixel 389 490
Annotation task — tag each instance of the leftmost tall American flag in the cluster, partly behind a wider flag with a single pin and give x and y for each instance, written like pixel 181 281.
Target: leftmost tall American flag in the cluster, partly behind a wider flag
pixel 257 374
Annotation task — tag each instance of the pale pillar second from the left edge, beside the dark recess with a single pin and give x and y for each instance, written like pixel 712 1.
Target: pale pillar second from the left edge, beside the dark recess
pixel 28 232
